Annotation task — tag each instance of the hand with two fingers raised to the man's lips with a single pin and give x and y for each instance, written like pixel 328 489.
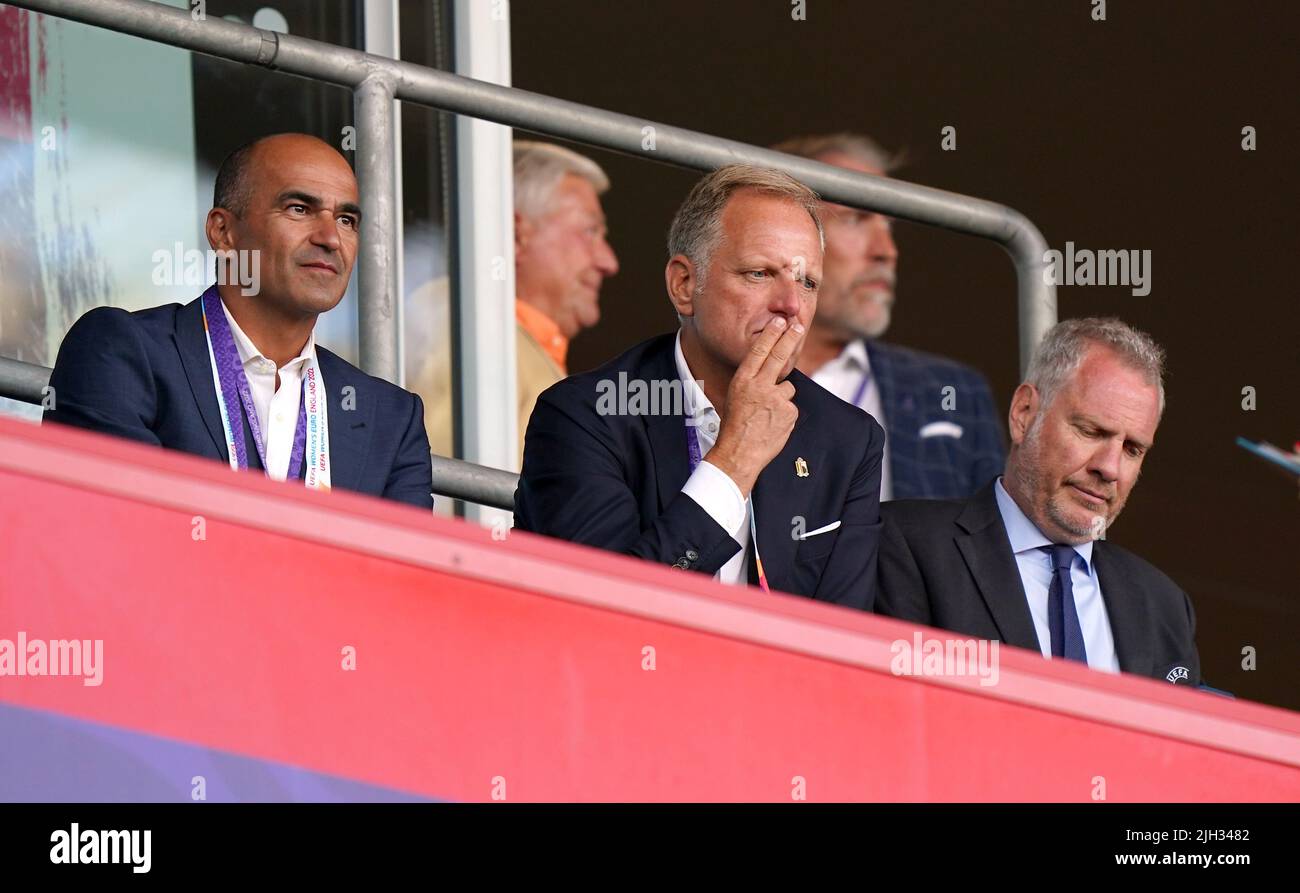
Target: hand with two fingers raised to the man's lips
pixel 761 411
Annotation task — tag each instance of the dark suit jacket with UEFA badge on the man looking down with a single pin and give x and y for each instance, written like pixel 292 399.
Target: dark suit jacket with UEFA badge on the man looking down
pixel 950 565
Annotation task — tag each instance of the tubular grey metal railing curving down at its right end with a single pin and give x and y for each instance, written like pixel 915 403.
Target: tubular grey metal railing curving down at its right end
pixel 378 81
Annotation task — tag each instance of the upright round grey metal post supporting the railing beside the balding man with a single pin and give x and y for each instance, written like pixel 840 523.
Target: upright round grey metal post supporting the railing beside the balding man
pixel 376 177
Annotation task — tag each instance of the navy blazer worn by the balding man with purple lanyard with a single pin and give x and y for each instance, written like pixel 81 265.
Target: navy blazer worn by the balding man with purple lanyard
pixel 146 376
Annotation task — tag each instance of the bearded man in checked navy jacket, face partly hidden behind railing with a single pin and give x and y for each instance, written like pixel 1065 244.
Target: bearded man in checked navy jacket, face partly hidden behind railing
pixel 943 436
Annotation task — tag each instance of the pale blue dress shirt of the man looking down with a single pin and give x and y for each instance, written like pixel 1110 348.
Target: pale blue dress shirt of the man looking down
pixel 1035 569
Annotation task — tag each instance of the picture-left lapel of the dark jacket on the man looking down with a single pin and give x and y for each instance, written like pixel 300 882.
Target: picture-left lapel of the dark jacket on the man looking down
pixel 987 552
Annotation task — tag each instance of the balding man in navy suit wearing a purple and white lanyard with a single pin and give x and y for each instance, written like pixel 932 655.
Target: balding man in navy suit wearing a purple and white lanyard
pixel 236 375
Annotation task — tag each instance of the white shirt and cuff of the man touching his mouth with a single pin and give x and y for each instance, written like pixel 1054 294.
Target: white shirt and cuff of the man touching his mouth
pixel 710 487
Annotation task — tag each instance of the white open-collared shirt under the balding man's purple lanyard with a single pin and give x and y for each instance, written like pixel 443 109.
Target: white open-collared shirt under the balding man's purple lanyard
pixel 278 409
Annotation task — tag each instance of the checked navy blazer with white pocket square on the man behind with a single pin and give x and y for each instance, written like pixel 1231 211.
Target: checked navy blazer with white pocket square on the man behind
pixel 930 461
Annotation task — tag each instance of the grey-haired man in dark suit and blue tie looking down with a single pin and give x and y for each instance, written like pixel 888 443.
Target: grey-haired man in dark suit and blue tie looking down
pixel 1024 561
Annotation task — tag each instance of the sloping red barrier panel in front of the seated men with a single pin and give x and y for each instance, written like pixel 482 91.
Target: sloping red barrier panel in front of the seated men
pixel 535 670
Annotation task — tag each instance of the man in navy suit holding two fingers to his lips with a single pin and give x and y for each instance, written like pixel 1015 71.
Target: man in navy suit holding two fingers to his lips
pixel 705 450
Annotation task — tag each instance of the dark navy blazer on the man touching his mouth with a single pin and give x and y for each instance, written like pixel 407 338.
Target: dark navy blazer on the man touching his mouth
pixel 614 482
